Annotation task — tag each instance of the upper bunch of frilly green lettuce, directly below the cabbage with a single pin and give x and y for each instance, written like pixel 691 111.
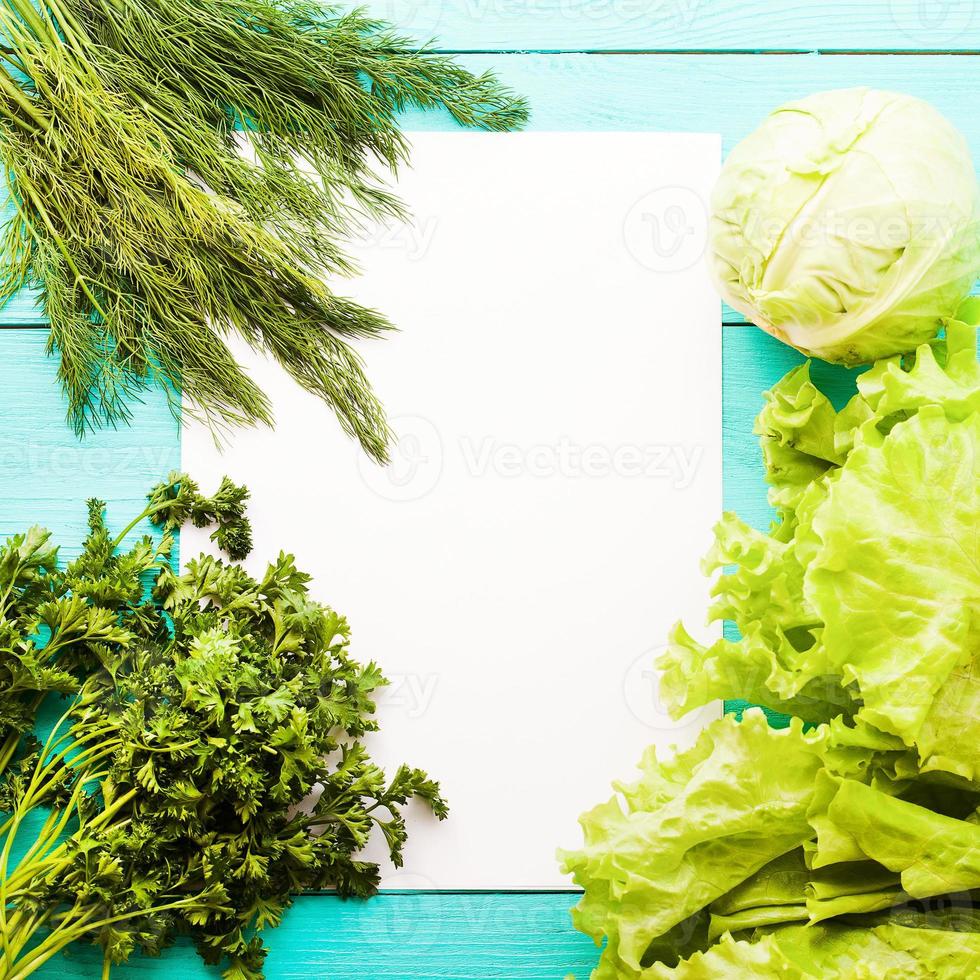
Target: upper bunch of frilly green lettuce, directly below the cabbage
pixel 863 600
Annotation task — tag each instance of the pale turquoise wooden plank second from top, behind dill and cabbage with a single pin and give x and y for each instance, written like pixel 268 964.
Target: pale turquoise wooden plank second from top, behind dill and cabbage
pixel 711 93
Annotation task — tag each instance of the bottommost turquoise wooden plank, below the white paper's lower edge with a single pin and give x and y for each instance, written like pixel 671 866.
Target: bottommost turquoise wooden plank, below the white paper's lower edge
pixel 468 936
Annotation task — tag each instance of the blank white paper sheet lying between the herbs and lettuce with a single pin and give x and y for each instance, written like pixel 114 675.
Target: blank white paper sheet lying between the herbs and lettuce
pixel 556 390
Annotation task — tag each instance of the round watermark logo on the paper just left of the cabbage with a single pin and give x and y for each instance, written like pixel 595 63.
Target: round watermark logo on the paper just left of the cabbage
pixel 667 229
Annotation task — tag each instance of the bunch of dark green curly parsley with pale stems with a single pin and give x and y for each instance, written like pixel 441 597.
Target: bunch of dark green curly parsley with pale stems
pixel 209 764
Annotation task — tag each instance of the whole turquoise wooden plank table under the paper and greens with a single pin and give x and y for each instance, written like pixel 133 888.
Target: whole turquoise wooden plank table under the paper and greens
pixel 698 65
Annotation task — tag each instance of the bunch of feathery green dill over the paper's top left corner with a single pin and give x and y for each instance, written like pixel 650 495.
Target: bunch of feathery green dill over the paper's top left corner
pixel 184 170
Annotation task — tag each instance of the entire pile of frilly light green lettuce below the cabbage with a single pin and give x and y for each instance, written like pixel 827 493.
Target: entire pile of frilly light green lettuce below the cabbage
pixel 846 845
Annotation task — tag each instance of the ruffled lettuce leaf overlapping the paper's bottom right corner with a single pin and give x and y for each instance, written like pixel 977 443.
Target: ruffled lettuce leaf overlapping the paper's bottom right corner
pixel 689 830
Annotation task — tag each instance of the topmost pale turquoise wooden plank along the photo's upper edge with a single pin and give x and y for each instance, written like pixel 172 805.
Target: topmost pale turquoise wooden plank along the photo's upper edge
pixel 688 25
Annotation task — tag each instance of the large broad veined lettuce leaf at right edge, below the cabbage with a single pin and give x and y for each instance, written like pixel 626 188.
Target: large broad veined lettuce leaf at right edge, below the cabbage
pixel 896 579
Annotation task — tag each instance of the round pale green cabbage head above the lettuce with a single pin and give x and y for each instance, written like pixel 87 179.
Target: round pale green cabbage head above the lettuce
pixel 847 224
